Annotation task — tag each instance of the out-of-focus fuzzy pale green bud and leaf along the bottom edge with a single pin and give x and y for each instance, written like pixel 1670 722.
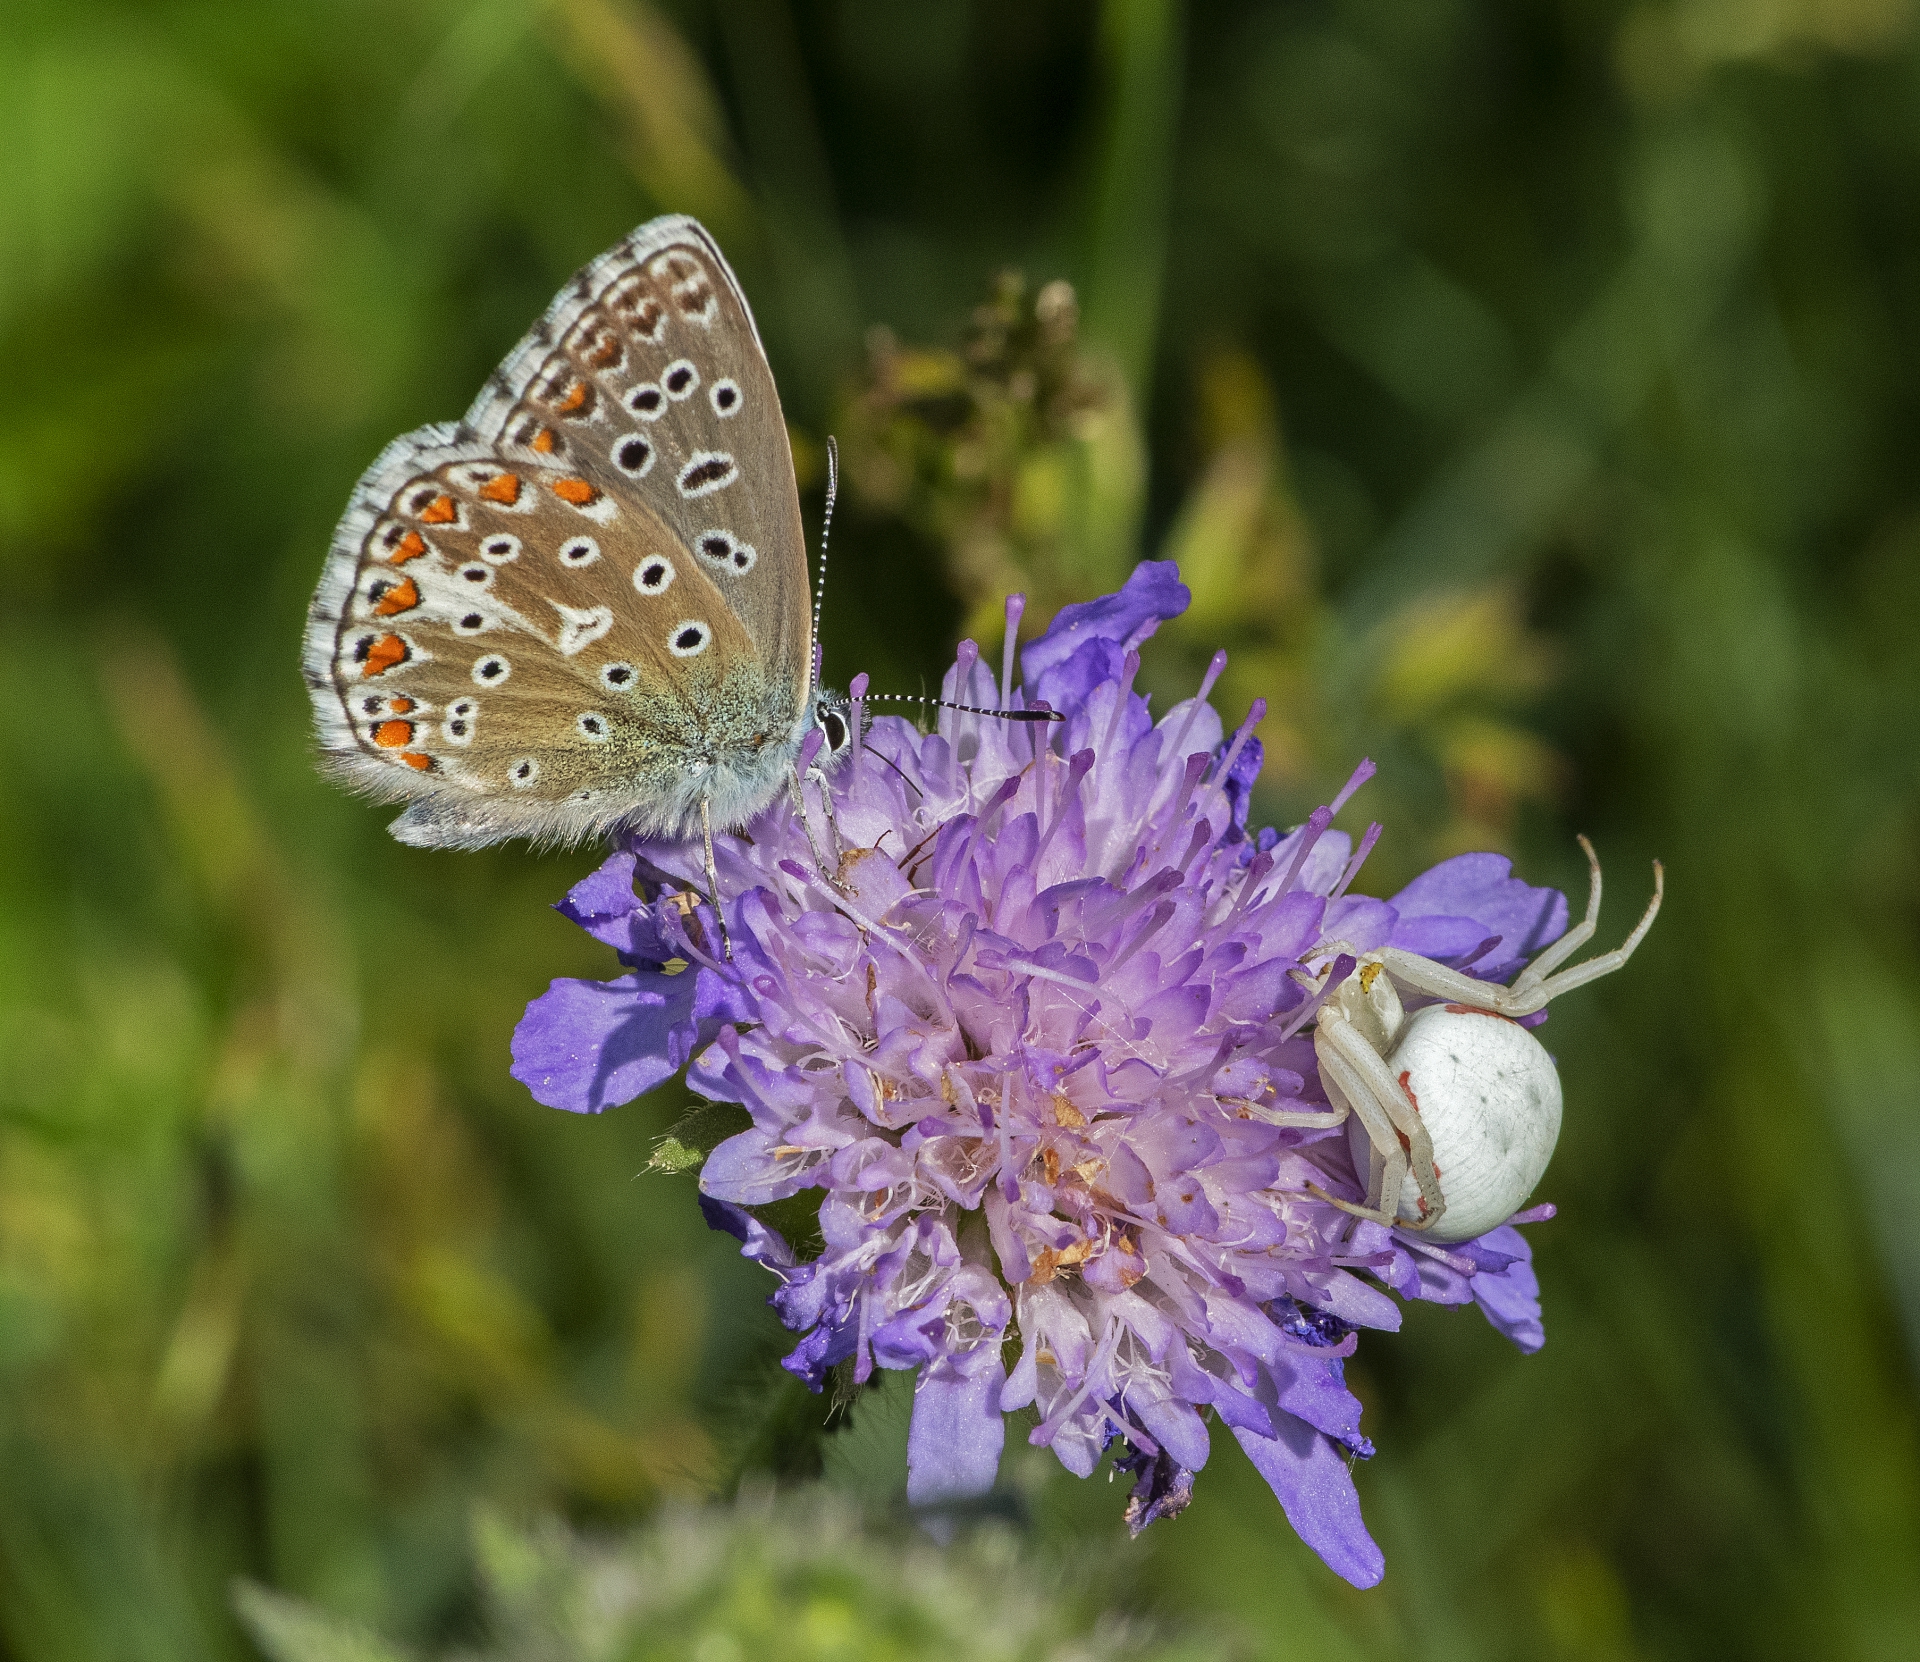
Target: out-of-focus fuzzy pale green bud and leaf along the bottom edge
pixel 796 1579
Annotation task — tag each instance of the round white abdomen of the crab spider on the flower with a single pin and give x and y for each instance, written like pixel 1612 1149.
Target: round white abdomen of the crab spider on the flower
pixel 1491 1101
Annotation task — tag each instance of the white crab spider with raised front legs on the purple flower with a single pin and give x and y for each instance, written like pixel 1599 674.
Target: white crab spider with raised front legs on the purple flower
pixel 1452 1110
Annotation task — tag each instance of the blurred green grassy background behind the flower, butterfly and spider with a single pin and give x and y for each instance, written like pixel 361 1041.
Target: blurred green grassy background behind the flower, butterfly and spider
pixel 1531 396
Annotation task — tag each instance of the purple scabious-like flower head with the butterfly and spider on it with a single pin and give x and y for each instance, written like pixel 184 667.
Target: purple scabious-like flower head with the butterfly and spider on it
pixel 1032 1049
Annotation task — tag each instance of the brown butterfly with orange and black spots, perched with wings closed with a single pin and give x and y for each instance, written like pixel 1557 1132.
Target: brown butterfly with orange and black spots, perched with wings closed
pixel 583 609
